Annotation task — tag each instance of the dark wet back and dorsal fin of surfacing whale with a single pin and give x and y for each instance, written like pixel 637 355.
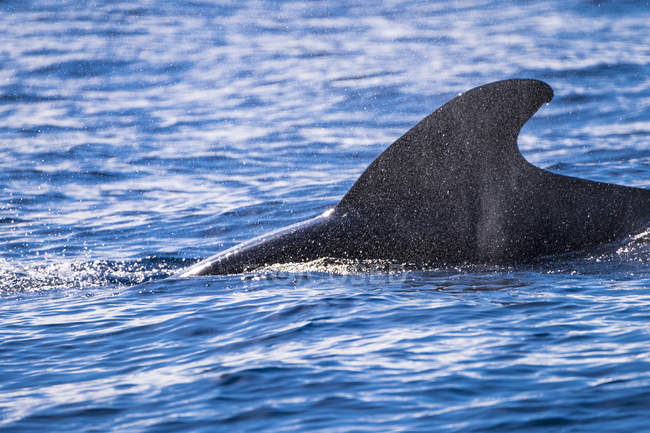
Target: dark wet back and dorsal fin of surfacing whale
pixel 455 189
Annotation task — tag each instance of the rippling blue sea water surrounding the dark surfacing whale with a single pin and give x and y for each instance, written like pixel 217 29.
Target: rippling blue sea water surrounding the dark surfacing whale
pixel 139 137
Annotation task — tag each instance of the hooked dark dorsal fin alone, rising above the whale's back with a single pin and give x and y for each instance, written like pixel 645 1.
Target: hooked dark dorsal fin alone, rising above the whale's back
pixel 467 138
